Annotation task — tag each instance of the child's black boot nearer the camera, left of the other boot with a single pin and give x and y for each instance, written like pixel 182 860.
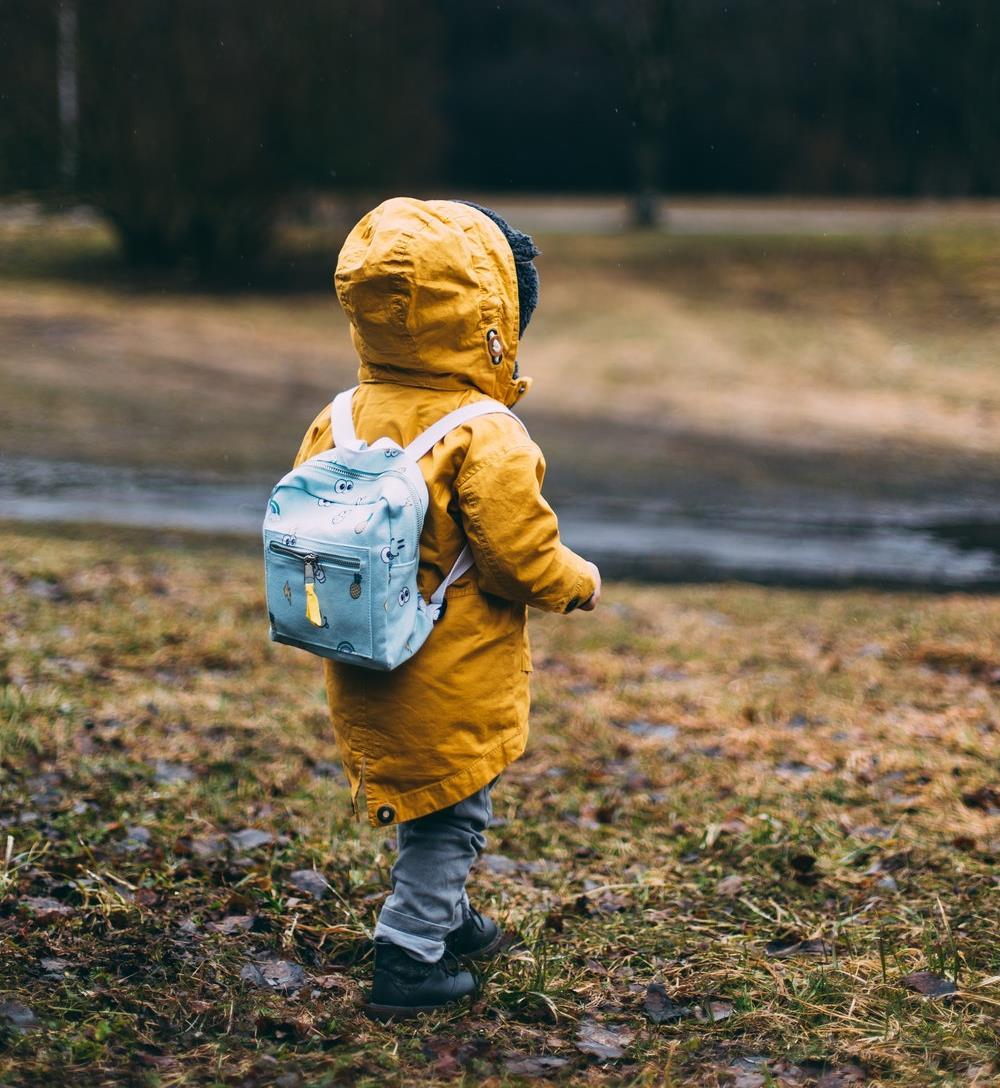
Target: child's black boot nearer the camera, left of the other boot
pixel 405 986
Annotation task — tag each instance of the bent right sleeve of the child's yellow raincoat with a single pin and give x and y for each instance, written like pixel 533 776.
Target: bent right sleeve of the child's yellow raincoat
pixel 515 536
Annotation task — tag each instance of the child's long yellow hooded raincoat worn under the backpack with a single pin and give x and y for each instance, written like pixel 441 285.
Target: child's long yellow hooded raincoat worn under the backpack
pixel 424 285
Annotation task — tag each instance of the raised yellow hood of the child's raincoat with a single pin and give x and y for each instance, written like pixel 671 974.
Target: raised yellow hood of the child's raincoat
pixel 430 288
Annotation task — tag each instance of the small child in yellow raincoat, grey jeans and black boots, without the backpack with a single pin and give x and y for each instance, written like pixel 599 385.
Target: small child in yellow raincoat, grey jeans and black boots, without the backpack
pixel 439 294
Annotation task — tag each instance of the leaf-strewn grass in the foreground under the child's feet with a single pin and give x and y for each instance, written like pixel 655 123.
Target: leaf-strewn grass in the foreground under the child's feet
pixel 821 822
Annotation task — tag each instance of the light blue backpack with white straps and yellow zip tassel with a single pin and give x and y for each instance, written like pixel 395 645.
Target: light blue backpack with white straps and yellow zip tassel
pixel 342 545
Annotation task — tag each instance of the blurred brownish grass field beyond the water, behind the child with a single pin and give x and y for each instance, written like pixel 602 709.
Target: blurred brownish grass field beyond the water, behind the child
pixel 812 344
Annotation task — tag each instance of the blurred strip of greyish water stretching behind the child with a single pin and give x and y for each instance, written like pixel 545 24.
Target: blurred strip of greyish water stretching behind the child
pixel 936 547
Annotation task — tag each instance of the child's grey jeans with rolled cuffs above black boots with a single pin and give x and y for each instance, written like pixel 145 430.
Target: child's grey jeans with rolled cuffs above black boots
pixel 429 897
